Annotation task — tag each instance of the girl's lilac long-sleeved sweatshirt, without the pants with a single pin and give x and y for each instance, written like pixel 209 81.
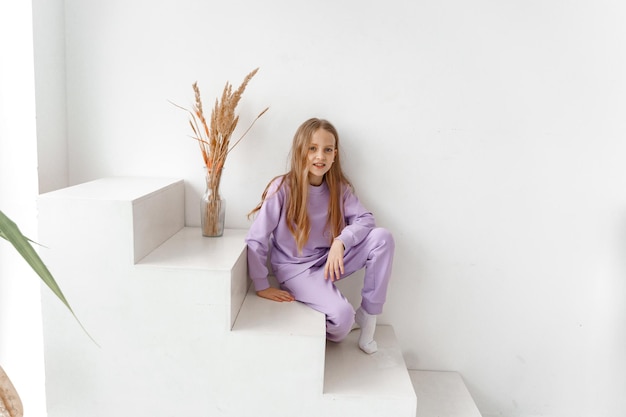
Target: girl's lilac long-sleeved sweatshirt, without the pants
pixel 269 234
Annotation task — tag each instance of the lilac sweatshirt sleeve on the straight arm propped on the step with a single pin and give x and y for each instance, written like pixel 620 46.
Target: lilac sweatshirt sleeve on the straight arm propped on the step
pixel 258 238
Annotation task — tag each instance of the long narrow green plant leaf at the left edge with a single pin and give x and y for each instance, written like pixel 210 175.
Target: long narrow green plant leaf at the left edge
pixel 10 232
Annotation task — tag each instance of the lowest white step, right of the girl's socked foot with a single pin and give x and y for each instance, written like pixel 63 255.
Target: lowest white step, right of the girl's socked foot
pixel 442 394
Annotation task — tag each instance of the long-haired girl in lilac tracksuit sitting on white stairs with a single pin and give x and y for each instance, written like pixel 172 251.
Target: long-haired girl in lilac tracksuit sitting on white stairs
pixel 316 232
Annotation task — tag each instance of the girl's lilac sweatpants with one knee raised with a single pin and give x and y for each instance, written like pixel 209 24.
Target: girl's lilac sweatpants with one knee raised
pixel 375 253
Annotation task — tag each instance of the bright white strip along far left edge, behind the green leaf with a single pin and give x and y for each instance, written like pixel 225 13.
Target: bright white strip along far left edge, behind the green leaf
pixel 21 353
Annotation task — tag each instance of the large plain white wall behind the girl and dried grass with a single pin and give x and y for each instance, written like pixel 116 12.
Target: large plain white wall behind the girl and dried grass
pixel 487 135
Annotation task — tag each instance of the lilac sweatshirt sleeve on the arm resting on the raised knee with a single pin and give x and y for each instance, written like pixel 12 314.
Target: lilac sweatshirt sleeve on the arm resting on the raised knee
pixel 359 221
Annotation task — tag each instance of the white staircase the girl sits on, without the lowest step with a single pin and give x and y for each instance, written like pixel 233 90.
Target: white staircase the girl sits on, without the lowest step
pixel 180 333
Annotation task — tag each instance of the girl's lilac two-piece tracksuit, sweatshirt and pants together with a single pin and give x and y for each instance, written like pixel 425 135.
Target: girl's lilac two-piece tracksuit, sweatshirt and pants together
pixel 302 274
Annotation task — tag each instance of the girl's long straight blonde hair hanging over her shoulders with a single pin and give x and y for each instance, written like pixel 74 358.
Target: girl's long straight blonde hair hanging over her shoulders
pixel 298 181
